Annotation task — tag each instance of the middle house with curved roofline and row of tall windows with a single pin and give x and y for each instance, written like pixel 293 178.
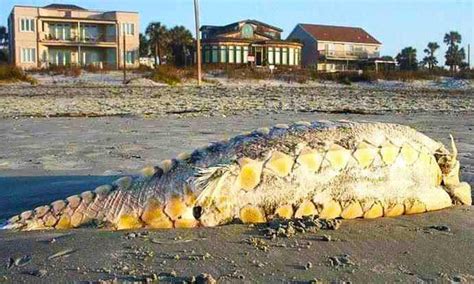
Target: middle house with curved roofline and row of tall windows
pixel 248 42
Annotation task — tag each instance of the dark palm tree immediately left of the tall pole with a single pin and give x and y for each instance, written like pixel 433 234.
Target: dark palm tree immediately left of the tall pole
pixel 181 41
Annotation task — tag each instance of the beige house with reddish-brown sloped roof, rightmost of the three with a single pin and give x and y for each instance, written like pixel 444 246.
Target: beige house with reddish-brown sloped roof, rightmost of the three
pixel 336 48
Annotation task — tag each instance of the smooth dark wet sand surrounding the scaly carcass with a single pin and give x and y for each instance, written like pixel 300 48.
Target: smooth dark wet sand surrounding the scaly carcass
pixel 42 160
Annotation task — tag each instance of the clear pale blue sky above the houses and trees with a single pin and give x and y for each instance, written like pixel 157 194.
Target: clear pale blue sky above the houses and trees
pixel 395 23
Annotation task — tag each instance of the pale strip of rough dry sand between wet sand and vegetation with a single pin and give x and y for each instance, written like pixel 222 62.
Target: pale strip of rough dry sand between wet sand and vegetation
pixel 219 100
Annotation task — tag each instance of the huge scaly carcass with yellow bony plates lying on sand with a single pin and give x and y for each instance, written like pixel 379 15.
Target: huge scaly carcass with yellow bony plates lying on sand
pixel 330 169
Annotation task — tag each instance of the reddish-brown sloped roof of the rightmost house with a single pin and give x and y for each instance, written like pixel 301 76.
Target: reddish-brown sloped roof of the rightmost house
pixel 338 33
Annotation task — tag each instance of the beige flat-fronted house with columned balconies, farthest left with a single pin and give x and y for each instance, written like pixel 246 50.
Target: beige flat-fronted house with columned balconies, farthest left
pixel 60 34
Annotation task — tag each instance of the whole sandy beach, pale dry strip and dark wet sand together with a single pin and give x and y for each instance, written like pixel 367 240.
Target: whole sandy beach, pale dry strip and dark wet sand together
pixel 44 159
